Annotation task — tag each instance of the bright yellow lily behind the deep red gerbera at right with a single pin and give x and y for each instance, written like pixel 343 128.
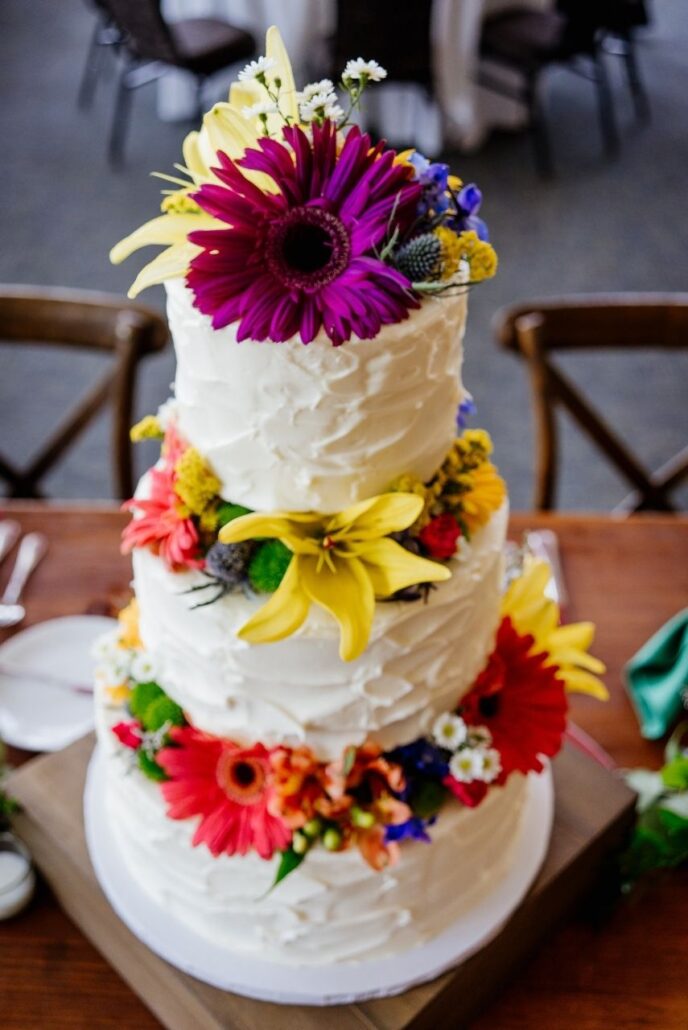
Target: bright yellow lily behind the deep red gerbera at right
pixel 532 612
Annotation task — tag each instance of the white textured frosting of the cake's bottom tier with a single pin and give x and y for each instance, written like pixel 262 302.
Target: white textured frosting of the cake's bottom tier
pixel 331 910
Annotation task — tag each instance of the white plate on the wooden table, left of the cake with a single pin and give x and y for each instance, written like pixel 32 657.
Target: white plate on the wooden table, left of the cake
pixel 37 714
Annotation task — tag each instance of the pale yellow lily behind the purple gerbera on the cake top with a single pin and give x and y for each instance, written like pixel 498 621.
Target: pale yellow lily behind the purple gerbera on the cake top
pixel 225 128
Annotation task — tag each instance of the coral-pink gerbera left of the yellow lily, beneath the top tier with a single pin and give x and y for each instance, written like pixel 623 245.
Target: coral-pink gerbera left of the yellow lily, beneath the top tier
pixel 158 525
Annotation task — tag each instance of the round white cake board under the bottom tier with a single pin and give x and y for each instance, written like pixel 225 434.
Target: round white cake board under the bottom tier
pixel 329 985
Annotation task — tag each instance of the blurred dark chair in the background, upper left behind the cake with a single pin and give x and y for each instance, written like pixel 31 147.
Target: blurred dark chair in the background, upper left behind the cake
pixel 151 46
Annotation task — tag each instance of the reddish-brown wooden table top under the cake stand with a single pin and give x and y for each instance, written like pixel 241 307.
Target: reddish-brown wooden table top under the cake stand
pixel 626 970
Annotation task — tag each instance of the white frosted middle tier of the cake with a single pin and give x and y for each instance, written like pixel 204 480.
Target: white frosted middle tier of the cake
pixel 423 657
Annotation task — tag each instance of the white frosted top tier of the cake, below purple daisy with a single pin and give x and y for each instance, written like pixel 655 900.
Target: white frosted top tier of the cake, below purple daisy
pixel 319 428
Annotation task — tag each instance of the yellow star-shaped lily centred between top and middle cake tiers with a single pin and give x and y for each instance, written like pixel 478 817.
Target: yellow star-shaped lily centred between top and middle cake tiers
pixel 341 563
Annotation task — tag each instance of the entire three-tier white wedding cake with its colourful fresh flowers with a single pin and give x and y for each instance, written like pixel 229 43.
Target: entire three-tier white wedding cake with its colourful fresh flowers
pixel 322 709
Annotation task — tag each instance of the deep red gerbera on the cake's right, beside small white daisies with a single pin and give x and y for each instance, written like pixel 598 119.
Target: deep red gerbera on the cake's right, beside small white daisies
pixel 522 701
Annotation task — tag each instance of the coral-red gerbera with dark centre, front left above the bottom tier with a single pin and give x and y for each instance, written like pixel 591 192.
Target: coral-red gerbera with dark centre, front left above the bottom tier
pixel 228 787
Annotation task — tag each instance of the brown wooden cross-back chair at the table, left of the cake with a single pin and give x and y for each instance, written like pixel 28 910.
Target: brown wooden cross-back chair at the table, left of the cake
pixel 88 321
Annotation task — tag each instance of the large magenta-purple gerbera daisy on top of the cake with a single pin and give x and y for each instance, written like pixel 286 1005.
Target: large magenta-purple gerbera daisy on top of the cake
pixel 305 258
